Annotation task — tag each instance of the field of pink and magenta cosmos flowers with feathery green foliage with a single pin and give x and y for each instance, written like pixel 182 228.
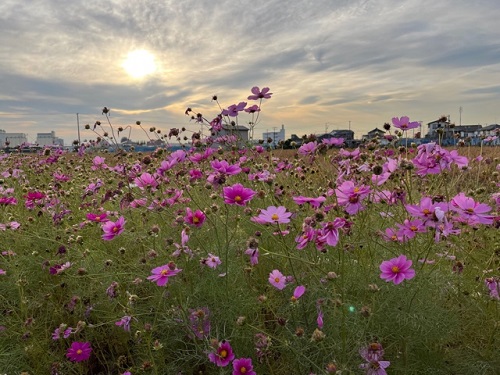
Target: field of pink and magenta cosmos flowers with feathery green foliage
pixel 246 260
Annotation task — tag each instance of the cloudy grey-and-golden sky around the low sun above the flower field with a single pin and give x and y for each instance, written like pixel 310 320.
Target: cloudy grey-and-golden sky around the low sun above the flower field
pixel 328 63
